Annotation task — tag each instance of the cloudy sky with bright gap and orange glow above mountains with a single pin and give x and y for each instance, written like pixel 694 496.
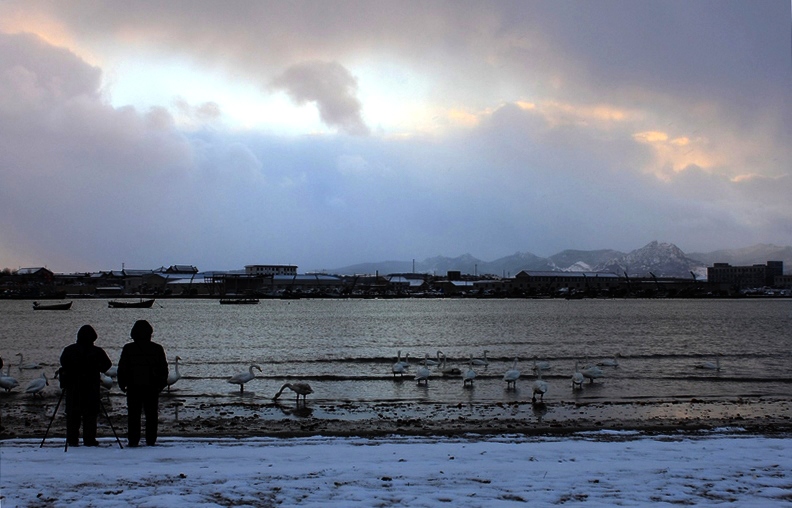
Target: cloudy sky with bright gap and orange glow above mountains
pixel 325 134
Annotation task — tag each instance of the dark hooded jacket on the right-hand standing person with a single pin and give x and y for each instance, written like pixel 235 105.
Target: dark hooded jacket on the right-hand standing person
pixel 143 365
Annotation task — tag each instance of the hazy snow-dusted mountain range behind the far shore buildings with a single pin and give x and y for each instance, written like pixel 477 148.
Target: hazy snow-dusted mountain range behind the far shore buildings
pixel 661 259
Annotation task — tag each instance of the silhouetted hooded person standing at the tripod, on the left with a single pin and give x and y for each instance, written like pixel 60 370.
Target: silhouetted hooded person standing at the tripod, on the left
pixel 81 364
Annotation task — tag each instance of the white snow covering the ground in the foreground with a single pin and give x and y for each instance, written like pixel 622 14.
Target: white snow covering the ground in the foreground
pixel 598 469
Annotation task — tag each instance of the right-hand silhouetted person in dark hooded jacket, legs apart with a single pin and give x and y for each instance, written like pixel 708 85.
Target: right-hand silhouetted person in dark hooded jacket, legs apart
pixel 142 374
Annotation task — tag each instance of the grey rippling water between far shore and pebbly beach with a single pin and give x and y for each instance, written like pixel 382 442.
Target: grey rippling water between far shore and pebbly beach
pixel 345 348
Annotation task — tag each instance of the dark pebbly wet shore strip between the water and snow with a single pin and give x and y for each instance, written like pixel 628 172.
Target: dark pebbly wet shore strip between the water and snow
pixel 251 416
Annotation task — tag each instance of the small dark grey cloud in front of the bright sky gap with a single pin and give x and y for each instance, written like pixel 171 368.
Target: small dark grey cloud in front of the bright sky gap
pixel 331 87
